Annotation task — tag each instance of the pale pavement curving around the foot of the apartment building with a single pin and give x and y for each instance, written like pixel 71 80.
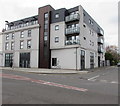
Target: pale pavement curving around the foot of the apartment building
pixel 52 71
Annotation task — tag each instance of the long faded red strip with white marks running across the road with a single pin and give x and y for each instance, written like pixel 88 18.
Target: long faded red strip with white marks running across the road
pixel 10 76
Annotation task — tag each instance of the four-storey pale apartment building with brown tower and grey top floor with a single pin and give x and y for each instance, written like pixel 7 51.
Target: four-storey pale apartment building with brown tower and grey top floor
pixel 62 38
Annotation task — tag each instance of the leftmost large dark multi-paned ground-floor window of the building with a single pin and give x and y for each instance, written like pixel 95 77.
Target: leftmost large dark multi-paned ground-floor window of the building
pixel 8 59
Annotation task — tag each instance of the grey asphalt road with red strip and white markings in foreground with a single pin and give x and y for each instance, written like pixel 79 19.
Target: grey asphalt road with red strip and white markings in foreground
pixel 98 87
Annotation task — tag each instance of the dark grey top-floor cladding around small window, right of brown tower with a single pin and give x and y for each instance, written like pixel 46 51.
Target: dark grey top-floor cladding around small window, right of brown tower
pixel 61 13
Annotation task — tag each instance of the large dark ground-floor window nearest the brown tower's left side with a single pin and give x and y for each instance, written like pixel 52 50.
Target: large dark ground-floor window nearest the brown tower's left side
pixel 24 60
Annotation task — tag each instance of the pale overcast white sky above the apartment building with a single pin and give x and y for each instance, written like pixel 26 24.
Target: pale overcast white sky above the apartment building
pixel 104 12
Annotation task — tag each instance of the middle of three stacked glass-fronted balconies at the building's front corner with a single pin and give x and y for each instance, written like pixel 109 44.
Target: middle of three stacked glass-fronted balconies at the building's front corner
pixel 72 31
